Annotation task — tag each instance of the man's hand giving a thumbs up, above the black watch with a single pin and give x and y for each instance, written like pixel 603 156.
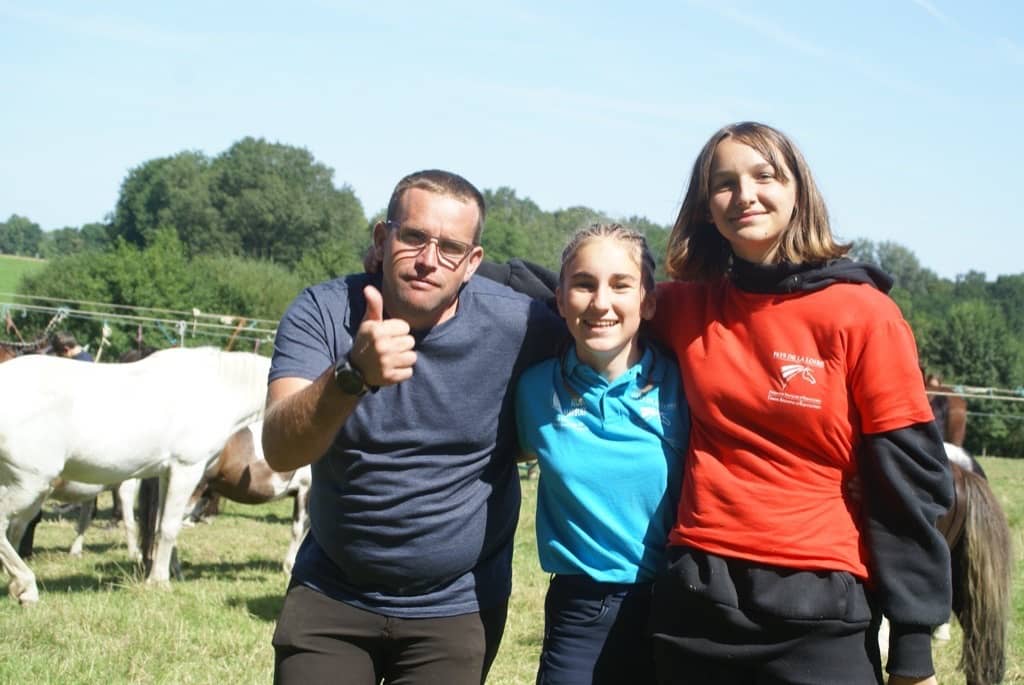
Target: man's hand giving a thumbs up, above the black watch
pixel 383 348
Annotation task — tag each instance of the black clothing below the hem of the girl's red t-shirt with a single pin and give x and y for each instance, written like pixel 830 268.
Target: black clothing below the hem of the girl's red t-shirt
pixel 718 621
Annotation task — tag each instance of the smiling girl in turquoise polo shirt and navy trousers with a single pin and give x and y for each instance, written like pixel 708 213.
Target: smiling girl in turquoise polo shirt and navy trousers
pixel 608 422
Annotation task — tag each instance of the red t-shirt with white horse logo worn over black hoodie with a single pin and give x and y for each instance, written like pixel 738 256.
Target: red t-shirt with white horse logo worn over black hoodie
pixel 782 391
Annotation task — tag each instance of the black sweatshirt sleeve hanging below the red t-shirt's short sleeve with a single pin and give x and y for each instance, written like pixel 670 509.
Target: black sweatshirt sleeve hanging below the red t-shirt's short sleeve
pixel 908 487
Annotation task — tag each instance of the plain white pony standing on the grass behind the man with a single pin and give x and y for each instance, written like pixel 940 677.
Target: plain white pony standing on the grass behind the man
pixel 167 415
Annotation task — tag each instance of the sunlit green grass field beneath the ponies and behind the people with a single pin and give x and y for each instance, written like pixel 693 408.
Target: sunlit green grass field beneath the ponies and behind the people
pixel 98 623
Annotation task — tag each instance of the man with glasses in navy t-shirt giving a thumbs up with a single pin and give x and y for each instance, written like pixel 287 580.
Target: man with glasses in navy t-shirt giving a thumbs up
pixel 396 388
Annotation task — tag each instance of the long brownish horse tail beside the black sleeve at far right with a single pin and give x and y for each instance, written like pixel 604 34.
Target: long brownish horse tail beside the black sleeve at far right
pixel 982 597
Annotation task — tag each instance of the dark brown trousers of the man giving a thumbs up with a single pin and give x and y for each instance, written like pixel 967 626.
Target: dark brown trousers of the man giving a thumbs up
pixel 322 640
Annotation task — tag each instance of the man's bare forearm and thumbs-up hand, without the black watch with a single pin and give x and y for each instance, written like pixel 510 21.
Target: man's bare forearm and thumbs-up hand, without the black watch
pixel 304 417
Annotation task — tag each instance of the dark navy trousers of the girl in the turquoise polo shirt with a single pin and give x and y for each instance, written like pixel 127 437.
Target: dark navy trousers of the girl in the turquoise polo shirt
pixel 596 634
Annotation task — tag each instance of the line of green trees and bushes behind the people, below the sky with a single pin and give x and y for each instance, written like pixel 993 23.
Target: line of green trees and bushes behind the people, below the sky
pixel 243 232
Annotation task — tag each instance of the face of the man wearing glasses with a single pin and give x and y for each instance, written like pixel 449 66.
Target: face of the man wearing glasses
pixel 421 284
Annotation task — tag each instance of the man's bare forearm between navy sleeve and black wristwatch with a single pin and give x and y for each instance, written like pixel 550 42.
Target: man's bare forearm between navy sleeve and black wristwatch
pixel 301 424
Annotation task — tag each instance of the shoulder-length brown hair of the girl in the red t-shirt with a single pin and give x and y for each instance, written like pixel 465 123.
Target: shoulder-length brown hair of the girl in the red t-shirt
pixel 697 250
